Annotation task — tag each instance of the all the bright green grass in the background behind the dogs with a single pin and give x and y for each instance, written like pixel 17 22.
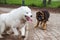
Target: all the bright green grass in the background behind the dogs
pixel 35 3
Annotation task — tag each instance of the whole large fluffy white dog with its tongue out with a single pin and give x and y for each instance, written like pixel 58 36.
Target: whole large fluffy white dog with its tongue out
pixel 15 18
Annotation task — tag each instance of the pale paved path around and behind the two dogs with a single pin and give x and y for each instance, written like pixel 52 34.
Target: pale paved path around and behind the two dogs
pixel 38 34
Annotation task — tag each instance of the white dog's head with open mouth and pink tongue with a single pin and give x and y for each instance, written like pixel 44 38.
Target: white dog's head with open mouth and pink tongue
pixel 27 14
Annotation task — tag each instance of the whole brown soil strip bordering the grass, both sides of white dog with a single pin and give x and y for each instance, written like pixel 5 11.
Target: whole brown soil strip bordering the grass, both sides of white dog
pixel 55 10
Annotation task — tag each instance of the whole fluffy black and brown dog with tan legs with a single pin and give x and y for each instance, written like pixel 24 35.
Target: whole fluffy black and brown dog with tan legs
pixel 42 18
